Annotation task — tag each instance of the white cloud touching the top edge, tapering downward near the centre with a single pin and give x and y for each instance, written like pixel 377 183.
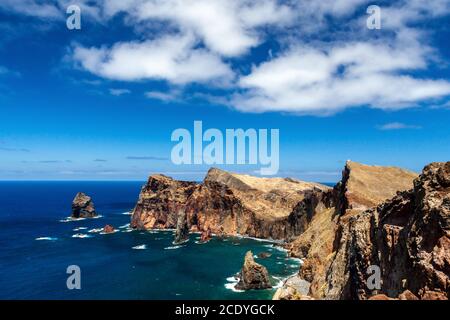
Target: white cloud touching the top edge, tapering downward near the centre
pixel 225 26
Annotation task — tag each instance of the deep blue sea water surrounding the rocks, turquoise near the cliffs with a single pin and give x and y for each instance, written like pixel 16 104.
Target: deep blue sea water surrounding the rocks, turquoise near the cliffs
pixel 110 267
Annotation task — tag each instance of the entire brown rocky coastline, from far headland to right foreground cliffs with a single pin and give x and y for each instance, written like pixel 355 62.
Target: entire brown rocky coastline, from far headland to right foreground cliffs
pixel 375 217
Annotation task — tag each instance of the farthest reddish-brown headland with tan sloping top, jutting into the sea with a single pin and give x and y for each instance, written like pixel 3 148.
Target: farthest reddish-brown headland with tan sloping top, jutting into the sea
pixel 227 203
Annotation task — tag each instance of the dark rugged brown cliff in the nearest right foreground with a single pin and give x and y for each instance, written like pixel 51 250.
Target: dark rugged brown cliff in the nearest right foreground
pixel 407 237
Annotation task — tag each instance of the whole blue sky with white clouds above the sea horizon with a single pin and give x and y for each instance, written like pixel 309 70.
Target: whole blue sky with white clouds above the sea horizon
pixel 101 103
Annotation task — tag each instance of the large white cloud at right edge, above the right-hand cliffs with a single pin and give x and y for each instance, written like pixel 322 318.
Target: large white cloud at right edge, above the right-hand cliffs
pixel 309 80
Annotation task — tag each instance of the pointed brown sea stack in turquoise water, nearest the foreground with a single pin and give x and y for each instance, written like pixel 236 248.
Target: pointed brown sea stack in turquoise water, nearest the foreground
pixel 253 275
